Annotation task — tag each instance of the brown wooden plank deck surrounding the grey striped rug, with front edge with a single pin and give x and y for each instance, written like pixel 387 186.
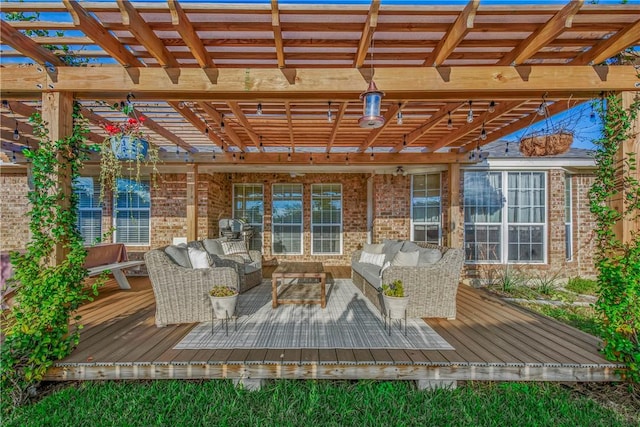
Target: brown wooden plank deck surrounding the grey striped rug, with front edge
pixel 493 340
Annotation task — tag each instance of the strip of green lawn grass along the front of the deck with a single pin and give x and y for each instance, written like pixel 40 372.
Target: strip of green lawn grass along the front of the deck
pixel 312 403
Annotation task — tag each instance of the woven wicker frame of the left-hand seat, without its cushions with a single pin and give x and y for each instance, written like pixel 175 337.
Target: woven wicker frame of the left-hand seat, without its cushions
pixel 182 294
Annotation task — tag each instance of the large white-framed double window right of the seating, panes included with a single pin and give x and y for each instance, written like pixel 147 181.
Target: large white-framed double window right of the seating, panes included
pixel 499 229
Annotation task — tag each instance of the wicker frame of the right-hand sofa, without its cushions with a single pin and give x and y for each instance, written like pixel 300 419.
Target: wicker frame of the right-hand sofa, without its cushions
pixel 431 288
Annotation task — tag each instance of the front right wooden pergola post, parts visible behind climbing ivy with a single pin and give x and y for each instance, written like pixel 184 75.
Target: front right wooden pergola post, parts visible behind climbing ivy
pixel 627 225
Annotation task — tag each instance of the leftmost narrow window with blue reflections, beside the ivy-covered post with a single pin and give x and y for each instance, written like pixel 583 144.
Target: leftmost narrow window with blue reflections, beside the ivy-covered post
pixel 89 209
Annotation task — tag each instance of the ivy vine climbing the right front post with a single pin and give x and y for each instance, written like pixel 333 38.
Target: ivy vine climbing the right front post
pixel 618 261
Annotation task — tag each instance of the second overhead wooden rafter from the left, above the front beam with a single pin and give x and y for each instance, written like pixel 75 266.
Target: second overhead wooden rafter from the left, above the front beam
pixel 100 36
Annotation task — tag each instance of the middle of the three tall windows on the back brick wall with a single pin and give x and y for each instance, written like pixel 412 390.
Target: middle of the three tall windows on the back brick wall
pixel 287 219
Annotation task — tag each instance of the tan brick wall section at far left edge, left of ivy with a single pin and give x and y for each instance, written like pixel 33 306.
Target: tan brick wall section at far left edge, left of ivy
pixel 14 205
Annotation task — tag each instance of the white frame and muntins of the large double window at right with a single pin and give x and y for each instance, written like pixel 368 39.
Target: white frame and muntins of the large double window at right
pixel 504 223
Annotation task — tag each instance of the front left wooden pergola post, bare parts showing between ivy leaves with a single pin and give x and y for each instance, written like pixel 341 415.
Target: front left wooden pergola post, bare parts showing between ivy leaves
pixel 57 113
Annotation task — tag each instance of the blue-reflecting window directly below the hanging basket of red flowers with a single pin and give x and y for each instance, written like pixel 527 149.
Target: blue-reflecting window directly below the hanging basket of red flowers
pixel 132 212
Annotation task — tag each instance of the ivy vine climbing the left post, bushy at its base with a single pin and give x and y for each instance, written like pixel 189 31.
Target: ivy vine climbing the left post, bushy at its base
pixel 42 326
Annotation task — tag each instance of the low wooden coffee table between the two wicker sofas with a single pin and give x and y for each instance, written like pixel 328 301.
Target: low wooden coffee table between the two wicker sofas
pixel 299 292
